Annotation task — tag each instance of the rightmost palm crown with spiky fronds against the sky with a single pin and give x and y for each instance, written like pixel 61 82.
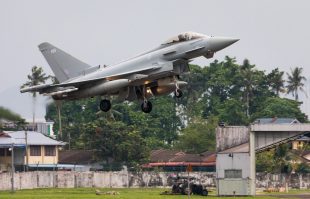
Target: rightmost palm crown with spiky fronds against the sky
pixel 295 82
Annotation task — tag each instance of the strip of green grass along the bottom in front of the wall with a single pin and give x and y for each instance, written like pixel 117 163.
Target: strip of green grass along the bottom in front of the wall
pixel 90 193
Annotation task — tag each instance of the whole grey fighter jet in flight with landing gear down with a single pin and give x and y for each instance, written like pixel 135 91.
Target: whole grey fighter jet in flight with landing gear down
pixel 153 73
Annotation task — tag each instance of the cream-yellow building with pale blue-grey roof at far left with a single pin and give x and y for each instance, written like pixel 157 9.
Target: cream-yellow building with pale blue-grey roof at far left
pixel 42 151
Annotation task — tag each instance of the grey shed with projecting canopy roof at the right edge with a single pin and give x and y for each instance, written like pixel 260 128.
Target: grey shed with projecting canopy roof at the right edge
pixel 236 147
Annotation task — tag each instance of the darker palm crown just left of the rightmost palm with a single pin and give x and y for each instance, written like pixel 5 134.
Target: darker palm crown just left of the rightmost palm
pixel 276 81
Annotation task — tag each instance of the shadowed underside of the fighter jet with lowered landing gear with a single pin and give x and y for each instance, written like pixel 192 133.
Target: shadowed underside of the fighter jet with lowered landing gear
pixel 142 92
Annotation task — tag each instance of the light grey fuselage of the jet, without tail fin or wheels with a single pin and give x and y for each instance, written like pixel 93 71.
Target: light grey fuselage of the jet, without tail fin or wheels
pixel 154 65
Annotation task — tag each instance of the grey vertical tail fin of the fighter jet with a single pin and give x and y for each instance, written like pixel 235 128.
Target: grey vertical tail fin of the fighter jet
pixel 62 64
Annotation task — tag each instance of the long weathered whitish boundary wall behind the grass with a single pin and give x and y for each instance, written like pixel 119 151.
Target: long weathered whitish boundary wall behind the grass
pixel 71 179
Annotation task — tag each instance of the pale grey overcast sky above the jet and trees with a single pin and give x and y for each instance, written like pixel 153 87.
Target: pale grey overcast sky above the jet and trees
pixel 272 34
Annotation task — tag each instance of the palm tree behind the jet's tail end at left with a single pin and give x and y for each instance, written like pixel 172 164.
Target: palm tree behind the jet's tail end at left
pixel 36 77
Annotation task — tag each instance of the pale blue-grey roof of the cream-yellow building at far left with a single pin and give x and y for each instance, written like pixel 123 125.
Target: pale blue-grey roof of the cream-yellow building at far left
pixel 33 138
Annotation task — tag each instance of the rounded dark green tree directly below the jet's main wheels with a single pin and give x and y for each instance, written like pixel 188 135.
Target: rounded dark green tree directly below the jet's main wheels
pixel 120 142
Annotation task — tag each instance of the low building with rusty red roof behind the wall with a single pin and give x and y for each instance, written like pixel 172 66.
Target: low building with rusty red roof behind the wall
pixel 173 160
